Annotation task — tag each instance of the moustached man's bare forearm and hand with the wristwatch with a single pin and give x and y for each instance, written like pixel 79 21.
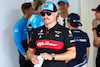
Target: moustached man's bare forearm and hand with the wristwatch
pixel 68 55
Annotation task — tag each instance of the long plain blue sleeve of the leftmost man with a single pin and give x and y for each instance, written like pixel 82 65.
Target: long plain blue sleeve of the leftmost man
pixel 18 38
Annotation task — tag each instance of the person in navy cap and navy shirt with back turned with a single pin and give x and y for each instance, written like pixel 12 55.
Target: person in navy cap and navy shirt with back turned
pixel 81 41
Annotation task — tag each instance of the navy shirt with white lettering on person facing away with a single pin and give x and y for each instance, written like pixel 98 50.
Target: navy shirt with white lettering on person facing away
pixel 82 42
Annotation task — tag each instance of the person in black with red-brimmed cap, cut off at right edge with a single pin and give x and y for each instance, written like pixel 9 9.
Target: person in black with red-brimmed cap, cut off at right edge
pixel 96 33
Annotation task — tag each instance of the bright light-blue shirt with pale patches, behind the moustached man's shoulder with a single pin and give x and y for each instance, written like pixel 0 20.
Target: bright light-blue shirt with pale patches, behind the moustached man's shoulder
pixel 34 21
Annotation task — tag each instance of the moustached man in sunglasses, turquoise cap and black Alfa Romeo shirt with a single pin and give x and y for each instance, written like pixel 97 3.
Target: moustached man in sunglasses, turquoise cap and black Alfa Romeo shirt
pixel 53 42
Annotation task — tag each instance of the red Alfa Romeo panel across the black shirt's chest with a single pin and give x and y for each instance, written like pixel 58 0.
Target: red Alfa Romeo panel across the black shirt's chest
pixel 49 44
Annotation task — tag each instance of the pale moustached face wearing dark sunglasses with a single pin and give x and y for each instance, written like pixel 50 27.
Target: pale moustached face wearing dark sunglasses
pixel 48 17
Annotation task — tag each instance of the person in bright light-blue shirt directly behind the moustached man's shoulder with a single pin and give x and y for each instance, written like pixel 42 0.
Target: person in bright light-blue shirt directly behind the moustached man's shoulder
pixel 35 20
